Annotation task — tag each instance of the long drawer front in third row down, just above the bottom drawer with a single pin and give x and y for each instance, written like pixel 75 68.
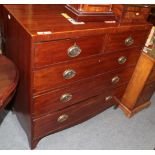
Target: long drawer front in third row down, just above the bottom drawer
pixel 73 93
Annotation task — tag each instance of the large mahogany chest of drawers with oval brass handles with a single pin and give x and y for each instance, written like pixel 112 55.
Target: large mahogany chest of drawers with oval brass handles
pixel 68 72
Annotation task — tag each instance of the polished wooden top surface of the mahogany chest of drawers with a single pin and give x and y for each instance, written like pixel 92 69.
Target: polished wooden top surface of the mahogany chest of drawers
pixel 48 18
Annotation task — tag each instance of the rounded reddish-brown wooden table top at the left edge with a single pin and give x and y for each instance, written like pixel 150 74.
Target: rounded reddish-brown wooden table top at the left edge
pixel 8 80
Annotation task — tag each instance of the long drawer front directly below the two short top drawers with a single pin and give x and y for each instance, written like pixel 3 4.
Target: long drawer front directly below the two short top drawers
pixel 62 74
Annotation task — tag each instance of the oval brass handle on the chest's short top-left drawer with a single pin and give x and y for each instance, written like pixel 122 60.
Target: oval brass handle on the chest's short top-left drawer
pixel 74 51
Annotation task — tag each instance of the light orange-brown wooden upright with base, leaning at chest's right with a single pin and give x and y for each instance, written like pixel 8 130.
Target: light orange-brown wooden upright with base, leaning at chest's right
pixel 136 84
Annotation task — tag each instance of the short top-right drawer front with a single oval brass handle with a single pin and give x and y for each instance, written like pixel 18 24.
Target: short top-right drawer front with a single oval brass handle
pixel 126 40
